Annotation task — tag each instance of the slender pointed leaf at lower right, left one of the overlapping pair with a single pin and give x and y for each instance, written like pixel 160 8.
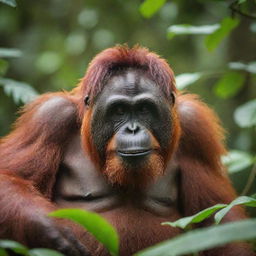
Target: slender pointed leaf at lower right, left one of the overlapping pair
pixel 199 217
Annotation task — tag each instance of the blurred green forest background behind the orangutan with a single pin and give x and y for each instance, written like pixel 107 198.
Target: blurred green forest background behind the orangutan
pixel 58 38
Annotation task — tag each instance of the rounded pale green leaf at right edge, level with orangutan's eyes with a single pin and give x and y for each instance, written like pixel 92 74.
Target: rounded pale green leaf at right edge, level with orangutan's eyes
pixel 245 115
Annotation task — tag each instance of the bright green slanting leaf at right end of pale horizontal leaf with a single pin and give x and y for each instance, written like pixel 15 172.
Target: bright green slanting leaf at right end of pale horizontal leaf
pixel 227 25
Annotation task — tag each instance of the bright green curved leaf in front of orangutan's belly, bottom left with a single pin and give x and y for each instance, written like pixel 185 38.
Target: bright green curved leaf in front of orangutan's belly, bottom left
pixel 93 223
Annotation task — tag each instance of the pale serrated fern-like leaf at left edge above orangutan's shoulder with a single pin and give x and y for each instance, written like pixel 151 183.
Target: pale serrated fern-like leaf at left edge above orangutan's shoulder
pixel 18 90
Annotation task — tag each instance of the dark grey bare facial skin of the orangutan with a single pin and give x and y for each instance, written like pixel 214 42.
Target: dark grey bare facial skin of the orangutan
pixel 130 106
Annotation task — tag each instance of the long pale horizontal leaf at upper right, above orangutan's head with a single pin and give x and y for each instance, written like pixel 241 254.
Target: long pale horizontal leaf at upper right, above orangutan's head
pixel 186 29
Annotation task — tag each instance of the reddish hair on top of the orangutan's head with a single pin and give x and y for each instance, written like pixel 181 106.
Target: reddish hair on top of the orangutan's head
pixel 108 61
